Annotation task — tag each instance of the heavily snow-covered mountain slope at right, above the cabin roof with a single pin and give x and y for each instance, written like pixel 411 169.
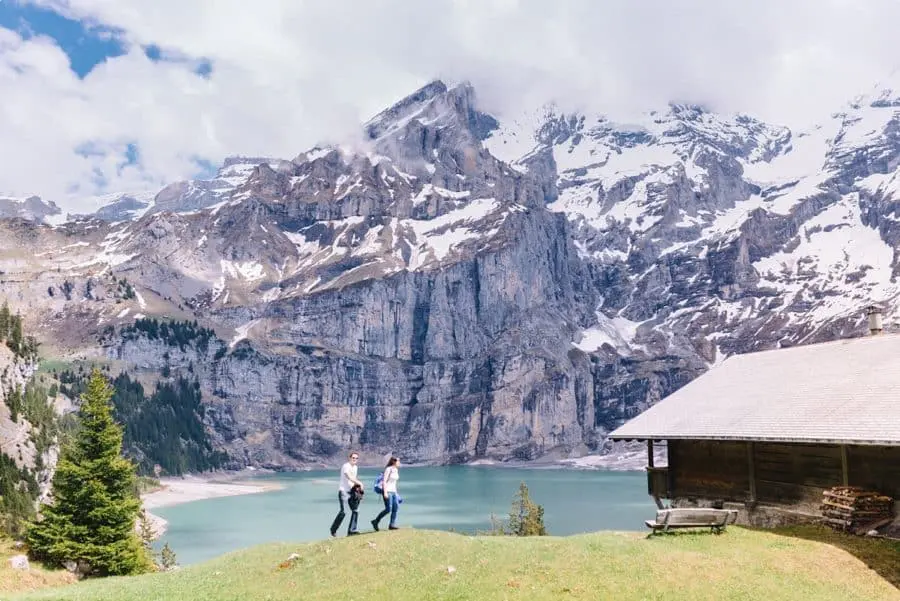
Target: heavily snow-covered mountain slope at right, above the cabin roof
pixel 722 228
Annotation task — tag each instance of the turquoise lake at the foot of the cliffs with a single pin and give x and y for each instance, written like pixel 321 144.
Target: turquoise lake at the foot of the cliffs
pixel 458 498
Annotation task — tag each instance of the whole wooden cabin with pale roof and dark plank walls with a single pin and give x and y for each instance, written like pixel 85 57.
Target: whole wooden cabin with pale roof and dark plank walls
pixel 768 432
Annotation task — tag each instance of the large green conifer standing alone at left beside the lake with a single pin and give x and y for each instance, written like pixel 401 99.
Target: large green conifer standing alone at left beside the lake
pixel 92 518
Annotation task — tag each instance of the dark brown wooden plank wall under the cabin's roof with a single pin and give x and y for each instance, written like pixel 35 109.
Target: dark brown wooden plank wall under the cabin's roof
pixel 783 473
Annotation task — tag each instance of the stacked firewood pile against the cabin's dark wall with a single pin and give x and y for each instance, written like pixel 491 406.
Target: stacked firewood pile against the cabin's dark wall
pixel 855 509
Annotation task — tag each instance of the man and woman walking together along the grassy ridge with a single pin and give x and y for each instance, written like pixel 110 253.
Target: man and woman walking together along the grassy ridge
pixel 351 491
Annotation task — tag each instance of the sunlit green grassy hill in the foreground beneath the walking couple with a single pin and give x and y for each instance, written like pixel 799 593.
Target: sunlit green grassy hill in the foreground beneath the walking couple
pixel 411 564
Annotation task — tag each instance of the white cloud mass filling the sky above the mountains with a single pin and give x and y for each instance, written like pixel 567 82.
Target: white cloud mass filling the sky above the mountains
pixel 289 73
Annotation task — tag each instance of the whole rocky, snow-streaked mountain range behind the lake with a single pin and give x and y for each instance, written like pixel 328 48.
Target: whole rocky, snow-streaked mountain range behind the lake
pixel 461 285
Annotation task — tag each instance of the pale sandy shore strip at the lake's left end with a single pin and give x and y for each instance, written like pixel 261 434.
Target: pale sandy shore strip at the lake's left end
pixel 176 491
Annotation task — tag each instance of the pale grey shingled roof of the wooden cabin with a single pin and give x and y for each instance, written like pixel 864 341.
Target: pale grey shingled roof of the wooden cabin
pixel 842 392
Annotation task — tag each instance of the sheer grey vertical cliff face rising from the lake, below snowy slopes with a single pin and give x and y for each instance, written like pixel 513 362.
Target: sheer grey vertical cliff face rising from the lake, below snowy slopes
pixel 468 361
